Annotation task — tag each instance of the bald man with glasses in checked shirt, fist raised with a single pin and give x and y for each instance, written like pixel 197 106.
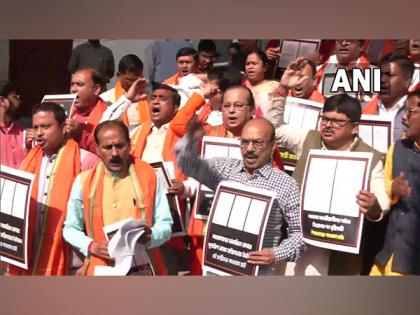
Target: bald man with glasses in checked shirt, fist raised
pixel 257 145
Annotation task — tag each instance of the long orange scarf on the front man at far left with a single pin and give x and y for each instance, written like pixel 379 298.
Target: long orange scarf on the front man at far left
pixel 50 255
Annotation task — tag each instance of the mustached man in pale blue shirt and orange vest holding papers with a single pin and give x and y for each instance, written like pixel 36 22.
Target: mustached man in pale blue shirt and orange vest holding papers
pixel 119 187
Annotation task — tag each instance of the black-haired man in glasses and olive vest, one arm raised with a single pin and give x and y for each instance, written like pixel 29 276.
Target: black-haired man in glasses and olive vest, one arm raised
pixel 338 131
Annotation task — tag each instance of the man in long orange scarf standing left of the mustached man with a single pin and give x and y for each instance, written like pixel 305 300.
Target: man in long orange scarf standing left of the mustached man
pixel 56 161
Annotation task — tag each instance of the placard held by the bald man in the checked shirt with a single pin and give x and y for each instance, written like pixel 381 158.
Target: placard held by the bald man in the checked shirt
pixel 236 226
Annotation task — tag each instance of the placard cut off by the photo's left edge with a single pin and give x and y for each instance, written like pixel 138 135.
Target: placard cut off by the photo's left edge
pixel 15 192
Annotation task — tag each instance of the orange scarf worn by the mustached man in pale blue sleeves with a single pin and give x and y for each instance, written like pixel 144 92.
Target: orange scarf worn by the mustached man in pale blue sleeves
pixel 144 185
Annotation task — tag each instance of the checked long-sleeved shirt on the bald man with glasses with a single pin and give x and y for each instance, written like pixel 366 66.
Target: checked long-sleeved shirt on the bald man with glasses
pixel 285 208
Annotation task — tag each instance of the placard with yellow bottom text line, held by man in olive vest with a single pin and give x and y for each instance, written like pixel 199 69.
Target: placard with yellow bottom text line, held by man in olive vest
pixel 330 216
